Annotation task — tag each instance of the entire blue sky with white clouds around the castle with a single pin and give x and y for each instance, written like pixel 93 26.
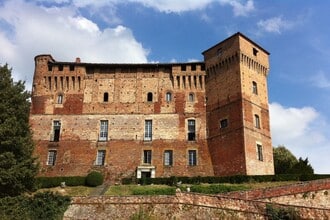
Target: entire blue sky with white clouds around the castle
pixel 295 32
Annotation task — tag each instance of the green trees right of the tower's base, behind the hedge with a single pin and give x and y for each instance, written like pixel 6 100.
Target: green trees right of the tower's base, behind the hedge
pixel 286 163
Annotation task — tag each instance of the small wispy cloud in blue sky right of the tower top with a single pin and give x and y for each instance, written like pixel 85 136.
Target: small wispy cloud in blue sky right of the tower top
pixel 274 25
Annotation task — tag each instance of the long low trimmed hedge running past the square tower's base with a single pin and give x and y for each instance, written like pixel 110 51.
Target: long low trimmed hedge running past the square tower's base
pixel 225 179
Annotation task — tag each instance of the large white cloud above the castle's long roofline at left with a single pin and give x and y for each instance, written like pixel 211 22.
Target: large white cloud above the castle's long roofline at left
pixel 64 34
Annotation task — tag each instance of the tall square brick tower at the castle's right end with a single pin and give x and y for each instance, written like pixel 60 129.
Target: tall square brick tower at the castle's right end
pixel 237 112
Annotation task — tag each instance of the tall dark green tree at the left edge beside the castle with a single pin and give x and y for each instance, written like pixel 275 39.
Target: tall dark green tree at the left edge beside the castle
pixel 17 165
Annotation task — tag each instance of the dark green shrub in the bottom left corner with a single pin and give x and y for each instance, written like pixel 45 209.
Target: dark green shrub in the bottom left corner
pixel 45 205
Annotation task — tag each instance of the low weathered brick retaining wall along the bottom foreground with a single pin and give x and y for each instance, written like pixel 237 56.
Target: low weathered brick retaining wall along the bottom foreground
pixel 181 206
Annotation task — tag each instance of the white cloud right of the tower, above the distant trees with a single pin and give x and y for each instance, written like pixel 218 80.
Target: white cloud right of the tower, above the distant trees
pixel 304 132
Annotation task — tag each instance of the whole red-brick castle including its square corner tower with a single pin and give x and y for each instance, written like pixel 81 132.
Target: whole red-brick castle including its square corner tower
pixel 206 118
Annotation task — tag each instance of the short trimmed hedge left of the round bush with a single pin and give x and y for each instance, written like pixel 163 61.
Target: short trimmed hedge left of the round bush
pixel 49 182
